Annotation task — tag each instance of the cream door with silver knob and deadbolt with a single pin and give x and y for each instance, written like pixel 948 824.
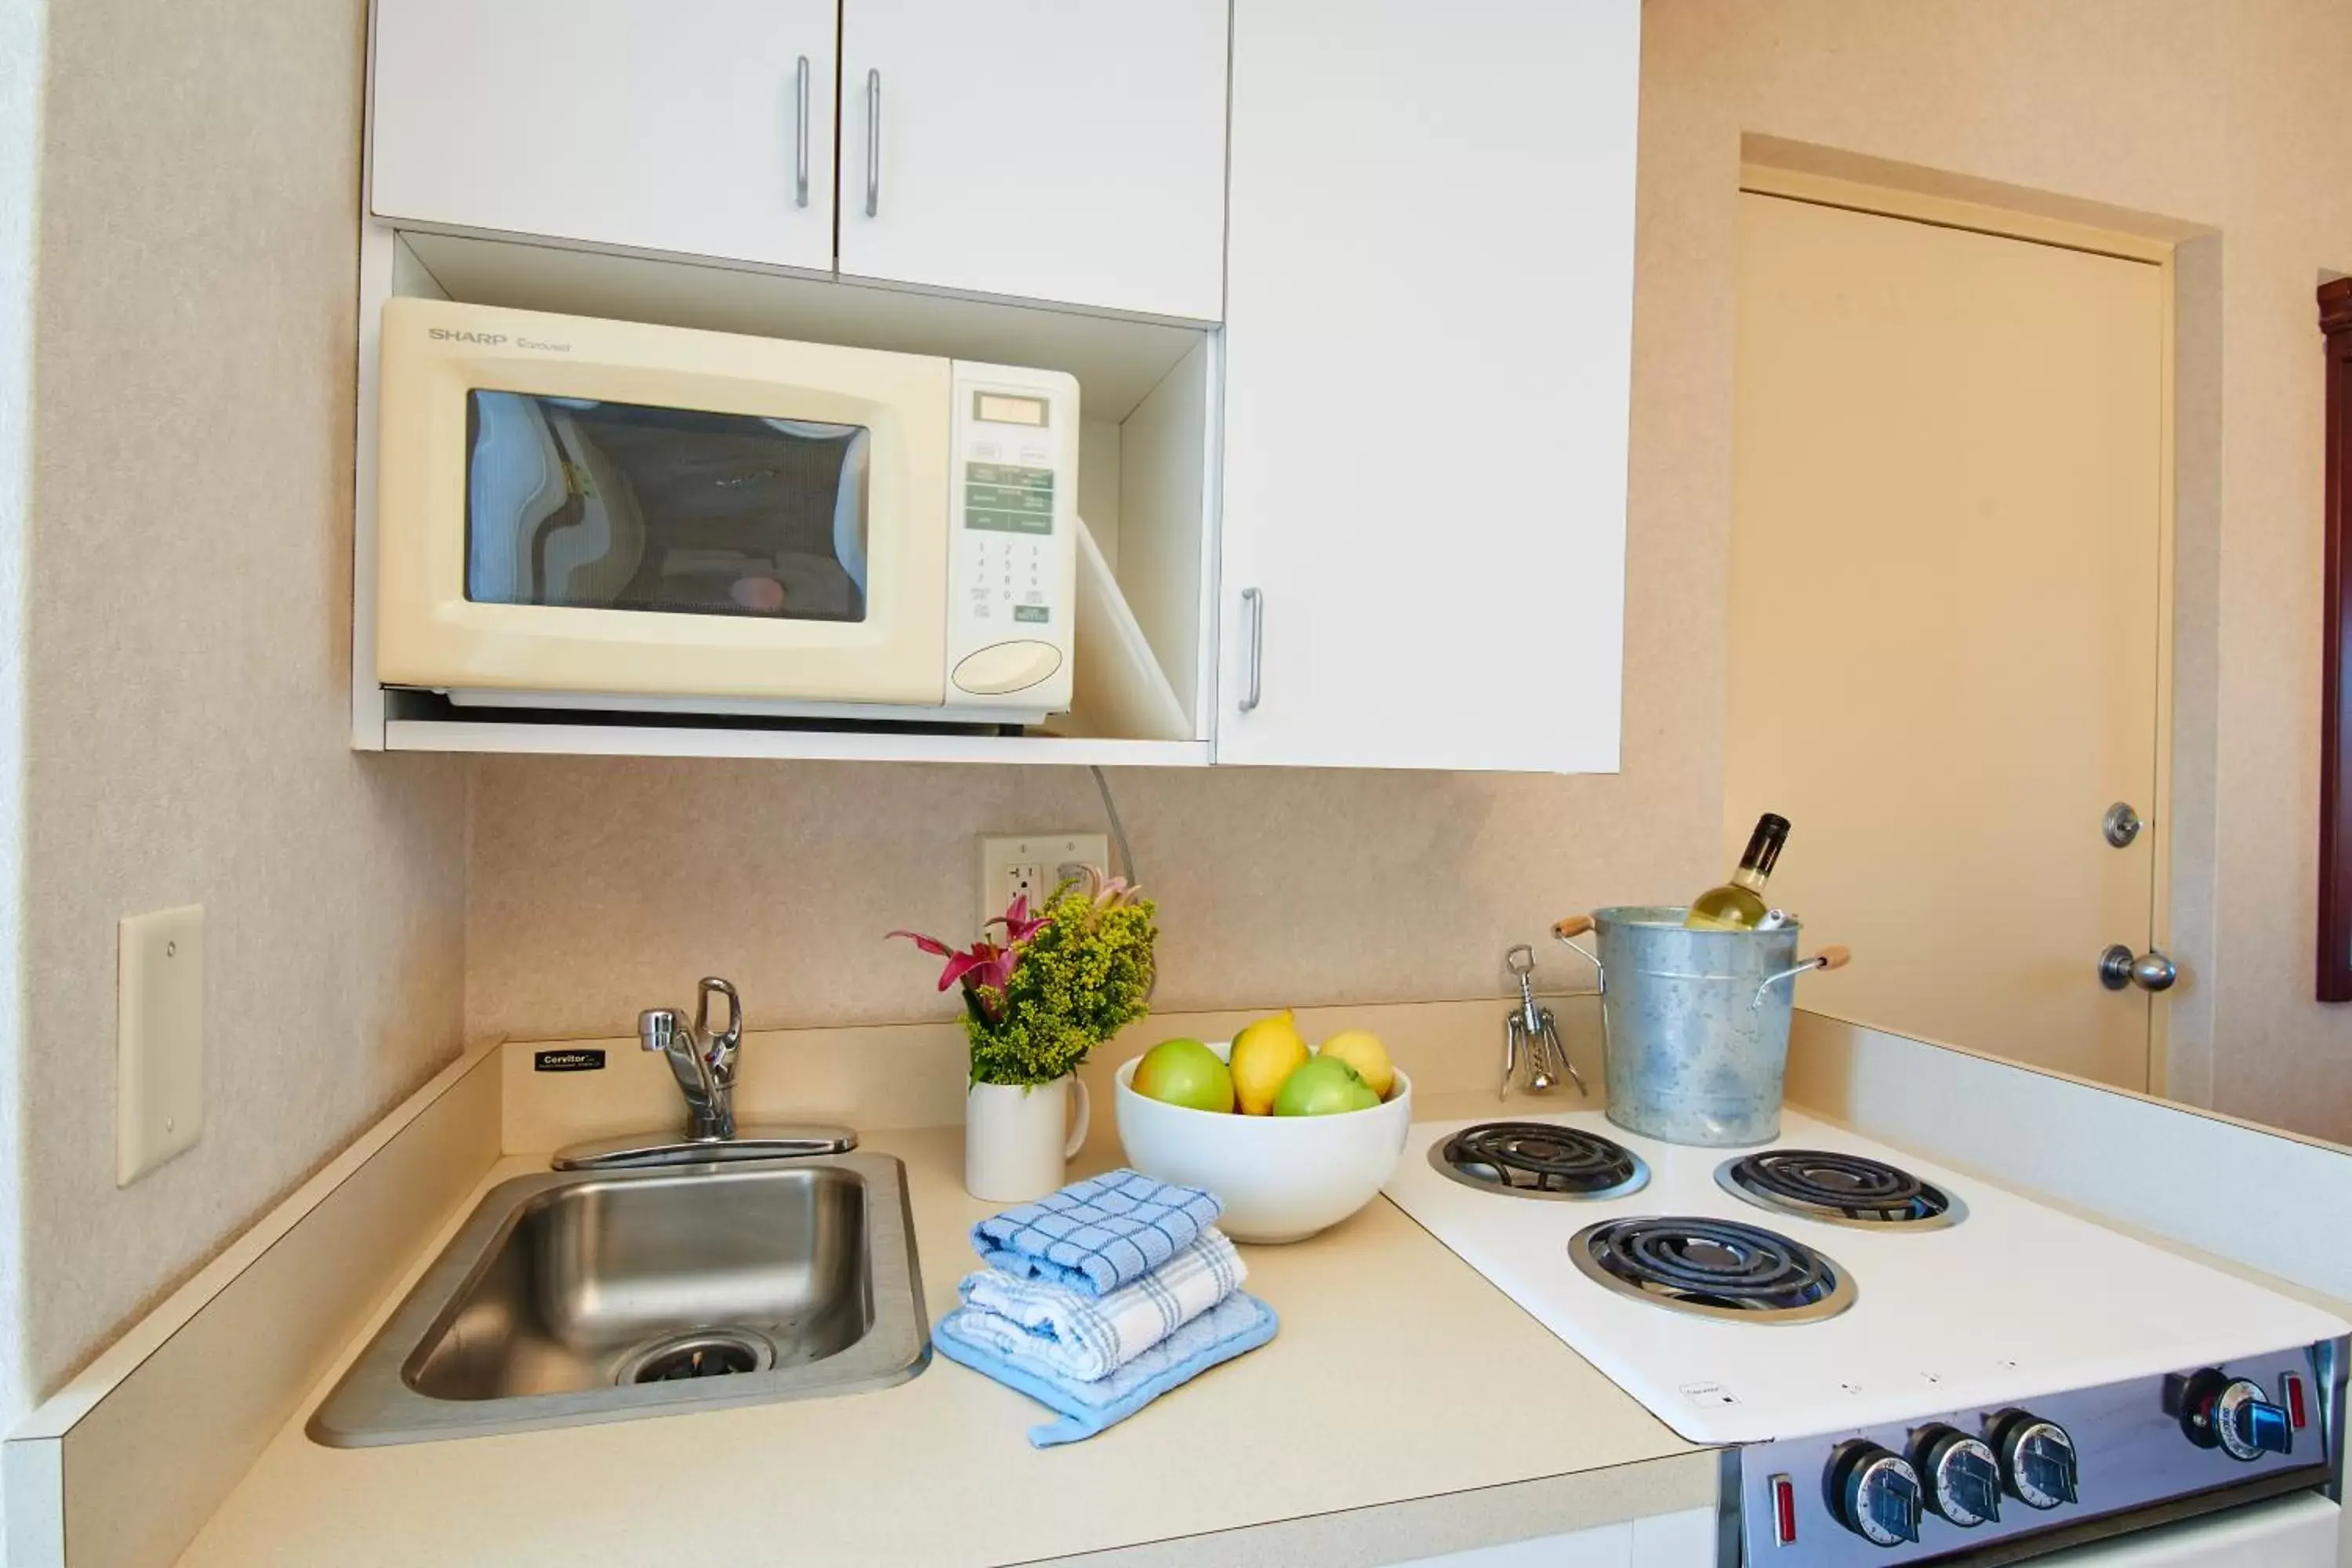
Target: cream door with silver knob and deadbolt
pixel 1946 619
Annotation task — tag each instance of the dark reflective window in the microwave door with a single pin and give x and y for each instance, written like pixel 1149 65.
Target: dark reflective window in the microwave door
pixel 664 511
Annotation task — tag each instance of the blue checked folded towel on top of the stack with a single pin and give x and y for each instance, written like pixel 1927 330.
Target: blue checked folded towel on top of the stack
pixel 1097 1235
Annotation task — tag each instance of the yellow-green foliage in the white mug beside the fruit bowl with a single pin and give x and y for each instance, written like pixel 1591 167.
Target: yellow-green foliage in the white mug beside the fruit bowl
pixel 1085 974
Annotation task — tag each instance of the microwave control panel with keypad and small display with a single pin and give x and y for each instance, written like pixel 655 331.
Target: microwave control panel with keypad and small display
pixel 1013 577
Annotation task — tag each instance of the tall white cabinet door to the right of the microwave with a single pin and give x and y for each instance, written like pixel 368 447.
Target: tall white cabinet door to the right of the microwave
pixel 1429 337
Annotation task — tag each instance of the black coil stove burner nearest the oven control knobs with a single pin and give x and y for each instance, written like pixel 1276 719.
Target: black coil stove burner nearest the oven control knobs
pixel 1713 1268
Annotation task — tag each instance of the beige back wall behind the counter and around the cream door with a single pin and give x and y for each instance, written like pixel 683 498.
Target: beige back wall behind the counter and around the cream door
pixel 599 887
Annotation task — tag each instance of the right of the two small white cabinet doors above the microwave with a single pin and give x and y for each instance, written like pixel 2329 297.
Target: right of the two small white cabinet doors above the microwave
pixel 1045 149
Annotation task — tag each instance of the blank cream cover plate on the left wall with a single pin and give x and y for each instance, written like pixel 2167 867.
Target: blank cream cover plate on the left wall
pixel 159 1040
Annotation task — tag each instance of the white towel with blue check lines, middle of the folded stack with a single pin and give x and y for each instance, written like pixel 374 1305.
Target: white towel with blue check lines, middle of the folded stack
pixel 1090 1336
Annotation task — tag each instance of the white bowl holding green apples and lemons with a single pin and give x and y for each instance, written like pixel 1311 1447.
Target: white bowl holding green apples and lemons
pixel 1283 1179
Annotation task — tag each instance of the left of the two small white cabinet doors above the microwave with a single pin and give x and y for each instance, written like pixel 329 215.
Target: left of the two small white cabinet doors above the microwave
pixel 671 126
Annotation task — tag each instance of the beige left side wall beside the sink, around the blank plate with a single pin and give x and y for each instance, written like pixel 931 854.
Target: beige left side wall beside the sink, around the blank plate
pixel 196 267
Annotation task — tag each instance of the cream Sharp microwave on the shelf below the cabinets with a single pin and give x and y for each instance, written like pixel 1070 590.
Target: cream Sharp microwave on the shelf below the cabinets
pixel 584 514
